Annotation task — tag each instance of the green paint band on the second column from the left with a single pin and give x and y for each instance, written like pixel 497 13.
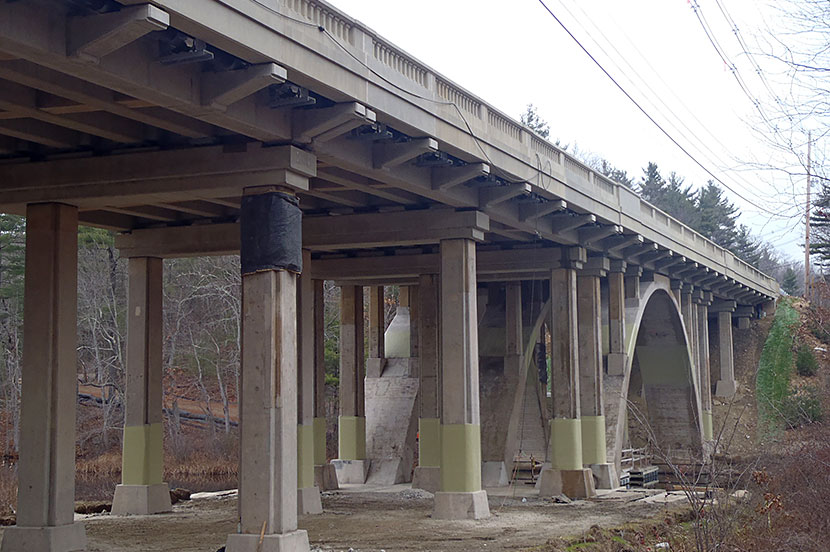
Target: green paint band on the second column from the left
pixel 142 460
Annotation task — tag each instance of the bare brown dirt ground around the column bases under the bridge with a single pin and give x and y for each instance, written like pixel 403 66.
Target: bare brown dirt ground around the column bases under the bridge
pixel 395 518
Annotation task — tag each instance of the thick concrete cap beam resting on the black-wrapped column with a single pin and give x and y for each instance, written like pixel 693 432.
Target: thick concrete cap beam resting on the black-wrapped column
pixel 154 177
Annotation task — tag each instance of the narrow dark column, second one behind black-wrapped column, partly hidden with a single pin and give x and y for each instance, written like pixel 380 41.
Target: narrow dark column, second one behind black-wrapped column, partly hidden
pixel 325 476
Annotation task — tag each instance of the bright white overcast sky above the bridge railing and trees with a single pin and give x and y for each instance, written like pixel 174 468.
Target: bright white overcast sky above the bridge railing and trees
pixel 513 53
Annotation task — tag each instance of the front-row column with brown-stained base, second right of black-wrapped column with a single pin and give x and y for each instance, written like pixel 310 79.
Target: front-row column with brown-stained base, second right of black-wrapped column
pixel 566 474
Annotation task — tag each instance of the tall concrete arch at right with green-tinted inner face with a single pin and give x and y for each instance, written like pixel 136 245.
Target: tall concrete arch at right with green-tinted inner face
pixel 657 347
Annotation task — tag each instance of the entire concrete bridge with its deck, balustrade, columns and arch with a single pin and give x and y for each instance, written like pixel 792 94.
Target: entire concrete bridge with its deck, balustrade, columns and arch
pixel 288 133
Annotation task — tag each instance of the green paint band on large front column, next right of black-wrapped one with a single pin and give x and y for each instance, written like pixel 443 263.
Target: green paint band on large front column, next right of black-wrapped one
pixel 460 458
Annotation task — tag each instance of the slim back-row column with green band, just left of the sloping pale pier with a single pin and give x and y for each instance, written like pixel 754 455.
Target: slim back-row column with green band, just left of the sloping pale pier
pixel 351 465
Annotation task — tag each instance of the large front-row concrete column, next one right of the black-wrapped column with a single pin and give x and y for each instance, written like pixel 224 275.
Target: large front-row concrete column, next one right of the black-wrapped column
pixel 461 495
